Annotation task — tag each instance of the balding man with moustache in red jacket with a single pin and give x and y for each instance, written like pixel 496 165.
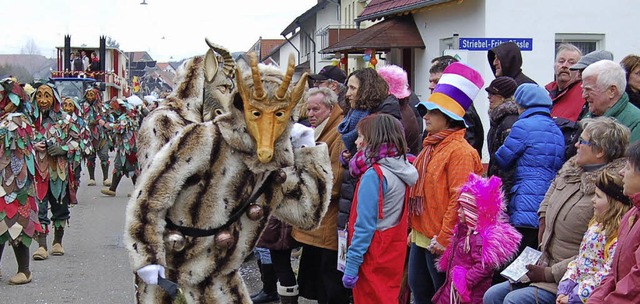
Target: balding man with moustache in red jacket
pixel 565 91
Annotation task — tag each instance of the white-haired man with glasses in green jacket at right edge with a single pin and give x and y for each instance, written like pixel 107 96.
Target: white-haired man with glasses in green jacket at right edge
pixel 603 86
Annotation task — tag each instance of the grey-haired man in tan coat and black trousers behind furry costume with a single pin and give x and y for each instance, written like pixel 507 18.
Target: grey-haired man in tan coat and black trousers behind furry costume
pixel 318 277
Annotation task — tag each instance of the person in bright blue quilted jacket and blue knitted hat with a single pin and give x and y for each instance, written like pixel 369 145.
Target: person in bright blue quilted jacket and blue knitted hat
pixel 535 151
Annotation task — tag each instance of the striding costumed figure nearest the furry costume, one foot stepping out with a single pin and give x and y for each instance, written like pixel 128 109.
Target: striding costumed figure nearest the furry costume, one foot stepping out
pixel 123 129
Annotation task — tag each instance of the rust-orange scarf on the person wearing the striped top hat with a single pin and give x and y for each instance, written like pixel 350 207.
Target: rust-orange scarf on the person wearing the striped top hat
pixel 416 198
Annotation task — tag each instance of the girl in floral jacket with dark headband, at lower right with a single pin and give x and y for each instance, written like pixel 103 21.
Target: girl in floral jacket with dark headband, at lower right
pixel 593 262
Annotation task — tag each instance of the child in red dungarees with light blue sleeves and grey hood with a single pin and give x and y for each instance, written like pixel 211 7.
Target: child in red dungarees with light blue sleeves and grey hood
pixel 379 214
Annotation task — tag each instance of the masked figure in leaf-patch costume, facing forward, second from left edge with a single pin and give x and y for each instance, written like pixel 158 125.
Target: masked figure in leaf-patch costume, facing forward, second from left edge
pixel 55 146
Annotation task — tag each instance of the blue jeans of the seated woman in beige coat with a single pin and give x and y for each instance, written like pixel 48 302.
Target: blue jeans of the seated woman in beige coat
pixel 508 293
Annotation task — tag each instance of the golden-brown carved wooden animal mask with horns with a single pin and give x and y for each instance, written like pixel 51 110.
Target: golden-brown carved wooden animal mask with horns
pixel 268 102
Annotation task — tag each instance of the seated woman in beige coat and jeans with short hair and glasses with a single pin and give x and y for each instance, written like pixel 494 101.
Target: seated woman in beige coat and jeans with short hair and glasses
pixel 566 210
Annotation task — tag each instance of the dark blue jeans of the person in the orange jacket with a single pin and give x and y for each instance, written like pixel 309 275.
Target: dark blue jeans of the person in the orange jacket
pixel 424 278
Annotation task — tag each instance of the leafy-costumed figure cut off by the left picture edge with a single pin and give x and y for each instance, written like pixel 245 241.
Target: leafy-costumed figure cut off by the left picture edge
pixel 18 205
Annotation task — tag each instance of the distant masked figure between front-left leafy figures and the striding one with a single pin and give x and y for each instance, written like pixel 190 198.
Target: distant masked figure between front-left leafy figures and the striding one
pixel 95 116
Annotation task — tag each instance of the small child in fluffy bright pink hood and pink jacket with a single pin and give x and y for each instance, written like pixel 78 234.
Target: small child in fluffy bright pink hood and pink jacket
pixel 482 241
